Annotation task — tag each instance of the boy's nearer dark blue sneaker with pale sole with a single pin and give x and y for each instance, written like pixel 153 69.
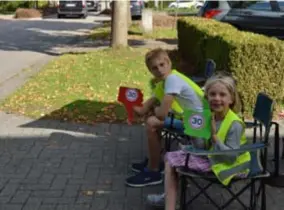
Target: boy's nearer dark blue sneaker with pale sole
pixel 145 178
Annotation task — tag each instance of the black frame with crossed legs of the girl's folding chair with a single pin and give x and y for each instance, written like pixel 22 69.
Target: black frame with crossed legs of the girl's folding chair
pixel 255 192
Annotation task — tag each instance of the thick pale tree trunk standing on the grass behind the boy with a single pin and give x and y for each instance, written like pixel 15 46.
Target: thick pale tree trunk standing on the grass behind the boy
pixel 119 24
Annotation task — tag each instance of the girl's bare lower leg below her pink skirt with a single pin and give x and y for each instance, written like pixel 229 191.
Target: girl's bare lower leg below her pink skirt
pixel 171 184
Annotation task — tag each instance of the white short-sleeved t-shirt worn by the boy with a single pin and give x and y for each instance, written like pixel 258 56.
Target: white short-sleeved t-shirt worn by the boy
pixel 184 94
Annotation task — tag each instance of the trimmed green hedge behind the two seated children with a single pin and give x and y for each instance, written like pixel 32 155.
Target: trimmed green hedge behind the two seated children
pixel 256 61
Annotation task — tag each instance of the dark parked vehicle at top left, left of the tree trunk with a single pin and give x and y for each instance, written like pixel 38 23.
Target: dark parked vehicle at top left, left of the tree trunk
pixel 72 8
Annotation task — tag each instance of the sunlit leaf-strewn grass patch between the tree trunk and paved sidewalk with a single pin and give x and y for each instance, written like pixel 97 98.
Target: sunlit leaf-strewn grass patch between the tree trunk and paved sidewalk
pixel 82 87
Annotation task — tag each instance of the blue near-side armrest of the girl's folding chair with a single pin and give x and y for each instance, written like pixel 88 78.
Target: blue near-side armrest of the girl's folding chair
pixel 246 148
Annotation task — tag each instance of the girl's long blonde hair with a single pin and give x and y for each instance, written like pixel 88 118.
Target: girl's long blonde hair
pixel 231 85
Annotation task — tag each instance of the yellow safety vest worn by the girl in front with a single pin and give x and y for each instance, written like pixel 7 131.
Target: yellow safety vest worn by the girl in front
pixel 226 171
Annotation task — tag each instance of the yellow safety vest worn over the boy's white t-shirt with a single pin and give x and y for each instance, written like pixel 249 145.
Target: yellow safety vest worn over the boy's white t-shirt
pixel 159 91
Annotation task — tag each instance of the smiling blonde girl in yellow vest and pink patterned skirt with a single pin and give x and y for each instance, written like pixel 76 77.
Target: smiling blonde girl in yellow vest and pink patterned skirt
pixel 227 132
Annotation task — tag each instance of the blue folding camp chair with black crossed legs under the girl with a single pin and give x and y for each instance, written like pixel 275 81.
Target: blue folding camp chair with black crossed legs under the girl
pixel 258 166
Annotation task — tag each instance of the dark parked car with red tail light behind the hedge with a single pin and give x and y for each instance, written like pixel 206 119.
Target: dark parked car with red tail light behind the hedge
pixel 263 17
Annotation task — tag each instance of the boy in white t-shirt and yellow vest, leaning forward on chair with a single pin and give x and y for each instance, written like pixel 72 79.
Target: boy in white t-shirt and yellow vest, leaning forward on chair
pixel 177 89
